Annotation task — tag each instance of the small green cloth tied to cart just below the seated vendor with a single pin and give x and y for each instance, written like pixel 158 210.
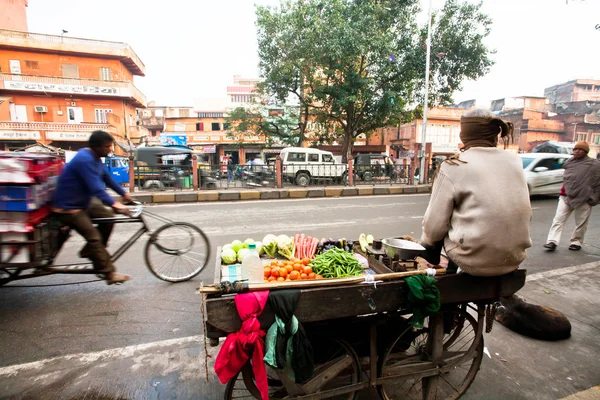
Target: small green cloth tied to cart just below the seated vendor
pixel 423 298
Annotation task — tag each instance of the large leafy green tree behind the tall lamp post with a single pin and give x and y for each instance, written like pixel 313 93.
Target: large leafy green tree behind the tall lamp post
pixel 360 64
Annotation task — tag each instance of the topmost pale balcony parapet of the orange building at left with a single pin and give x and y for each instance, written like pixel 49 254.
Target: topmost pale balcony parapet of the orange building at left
pixel 71 45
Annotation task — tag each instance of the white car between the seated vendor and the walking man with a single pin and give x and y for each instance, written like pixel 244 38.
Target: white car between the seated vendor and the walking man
pixel 544 172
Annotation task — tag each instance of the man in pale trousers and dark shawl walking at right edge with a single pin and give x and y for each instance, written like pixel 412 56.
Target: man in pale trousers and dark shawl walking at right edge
pixel 580 192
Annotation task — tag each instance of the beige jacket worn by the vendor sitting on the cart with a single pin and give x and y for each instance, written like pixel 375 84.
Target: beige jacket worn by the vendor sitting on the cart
pixel 481 210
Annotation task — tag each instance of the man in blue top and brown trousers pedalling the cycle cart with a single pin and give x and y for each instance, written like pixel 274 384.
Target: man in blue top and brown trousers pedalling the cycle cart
pixel 83 178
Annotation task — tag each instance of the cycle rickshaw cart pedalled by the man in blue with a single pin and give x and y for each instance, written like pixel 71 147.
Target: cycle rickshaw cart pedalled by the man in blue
pixel 174 252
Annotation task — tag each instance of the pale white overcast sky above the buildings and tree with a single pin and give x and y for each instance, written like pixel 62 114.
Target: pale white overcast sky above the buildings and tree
pixel 192 48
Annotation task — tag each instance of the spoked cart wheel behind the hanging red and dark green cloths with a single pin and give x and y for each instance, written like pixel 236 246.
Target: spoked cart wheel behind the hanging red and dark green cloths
pixel 336 366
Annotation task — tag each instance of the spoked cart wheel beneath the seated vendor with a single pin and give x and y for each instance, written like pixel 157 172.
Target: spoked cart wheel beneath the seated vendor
pixel 408 355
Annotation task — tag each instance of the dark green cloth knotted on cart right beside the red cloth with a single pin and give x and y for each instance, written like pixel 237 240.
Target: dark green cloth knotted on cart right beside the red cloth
pixel 286 342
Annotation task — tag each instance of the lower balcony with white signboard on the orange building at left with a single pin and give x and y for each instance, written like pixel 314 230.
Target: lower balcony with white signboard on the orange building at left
pixel 78 86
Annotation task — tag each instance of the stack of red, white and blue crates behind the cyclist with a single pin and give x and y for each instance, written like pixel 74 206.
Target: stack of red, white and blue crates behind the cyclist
pixel 27 185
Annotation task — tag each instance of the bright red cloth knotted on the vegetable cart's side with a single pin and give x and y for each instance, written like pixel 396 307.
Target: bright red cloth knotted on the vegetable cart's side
pixel 248 342
